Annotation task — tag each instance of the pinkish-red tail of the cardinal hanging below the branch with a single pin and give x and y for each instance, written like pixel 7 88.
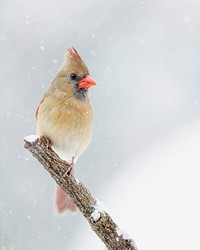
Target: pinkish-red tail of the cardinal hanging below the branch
pixel 62 202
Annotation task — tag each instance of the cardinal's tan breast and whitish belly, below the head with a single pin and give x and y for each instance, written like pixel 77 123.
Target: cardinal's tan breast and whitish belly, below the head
pixel 68 123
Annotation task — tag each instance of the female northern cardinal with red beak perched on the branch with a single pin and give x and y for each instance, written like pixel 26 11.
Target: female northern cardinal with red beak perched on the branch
pixel 65 116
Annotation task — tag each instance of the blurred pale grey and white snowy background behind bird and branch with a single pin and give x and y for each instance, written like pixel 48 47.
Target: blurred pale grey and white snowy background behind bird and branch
pixel 144 159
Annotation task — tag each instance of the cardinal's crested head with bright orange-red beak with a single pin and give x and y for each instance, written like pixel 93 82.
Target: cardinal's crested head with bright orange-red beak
pixel 73 76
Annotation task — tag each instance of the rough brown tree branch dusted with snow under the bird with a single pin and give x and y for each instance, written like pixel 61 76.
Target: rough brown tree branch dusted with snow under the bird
pixel 99 220
